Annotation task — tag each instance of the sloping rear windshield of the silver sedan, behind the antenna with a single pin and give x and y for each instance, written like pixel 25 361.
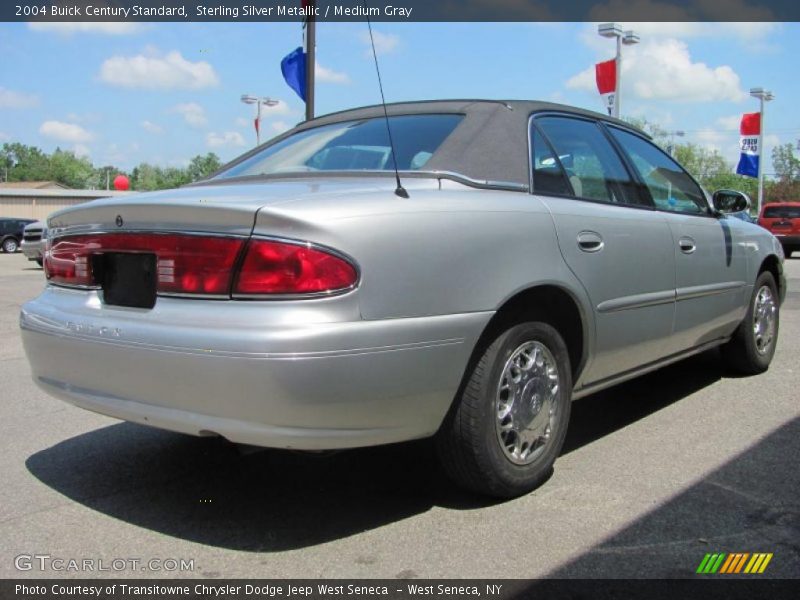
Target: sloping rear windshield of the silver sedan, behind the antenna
pixel 352 146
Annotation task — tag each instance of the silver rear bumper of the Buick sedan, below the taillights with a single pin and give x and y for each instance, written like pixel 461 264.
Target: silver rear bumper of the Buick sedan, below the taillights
pixel 261 373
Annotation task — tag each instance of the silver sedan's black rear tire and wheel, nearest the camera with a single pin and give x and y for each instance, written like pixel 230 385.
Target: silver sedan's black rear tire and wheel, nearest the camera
pixel 469 443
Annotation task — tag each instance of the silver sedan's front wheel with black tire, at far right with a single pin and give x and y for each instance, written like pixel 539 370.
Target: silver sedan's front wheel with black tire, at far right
pixel 746 352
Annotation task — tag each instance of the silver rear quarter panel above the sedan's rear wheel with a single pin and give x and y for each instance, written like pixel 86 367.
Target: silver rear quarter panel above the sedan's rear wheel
pixel 442 251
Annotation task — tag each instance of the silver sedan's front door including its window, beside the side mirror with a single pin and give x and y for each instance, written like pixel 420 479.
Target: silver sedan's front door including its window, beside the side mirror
pixel 710 254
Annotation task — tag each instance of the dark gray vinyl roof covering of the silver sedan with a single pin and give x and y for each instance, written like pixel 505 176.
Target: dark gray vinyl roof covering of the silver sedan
pixel 490 144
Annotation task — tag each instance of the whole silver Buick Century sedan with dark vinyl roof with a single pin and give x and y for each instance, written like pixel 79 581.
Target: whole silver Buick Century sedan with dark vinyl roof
pixel 305 297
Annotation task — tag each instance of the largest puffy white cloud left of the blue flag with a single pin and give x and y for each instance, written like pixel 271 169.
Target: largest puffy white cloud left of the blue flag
pixel 154 71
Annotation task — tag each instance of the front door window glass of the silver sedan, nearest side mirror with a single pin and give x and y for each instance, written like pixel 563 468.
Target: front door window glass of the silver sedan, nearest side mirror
pixel 670 186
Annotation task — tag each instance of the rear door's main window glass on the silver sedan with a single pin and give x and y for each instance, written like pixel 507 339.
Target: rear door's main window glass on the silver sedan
pixel 591 164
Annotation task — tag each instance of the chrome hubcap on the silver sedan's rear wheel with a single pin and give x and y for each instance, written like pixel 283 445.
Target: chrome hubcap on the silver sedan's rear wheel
pixel 526 402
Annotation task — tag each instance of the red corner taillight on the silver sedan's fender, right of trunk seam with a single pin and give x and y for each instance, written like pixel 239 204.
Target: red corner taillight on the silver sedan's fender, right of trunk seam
pixel 272 267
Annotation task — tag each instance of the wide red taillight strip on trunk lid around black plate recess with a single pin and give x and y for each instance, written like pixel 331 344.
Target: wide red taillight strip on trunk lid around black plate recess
pixel 186 264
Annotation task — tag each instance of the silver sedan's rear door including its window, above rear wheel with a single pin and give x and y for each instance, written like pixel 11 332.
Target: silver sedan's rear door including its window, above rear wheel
pixel 617 245
